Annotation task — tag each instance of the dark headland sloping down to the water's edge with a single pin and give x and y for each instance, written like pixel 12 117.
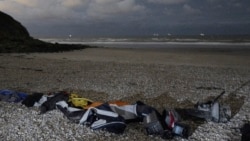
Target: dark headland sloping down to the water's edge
pixel 14 37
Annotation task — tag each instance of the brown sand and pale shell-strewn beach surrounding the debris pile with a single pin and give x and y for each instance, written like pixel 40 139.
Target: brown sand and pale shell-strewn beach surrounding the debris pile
pixel 163 79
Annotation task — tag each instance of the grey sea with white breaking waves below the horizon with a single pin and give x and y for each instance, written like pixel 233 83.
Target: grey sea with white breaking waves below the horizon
pixel 157 42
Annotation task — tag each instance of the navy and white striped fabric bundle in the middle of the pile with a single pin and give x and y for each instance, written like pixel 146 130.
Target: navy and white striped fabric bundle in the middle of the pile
pixel 99 116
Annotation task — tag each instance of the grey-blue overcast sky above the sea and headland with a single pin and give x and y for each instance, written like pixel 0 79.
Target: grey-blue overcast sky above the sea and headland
pixel 130 17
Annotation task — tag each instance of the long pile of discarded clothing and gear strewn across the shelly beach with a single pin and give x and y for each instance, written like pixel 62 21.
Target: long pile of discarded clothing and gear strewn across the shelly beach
pixel 113 116
